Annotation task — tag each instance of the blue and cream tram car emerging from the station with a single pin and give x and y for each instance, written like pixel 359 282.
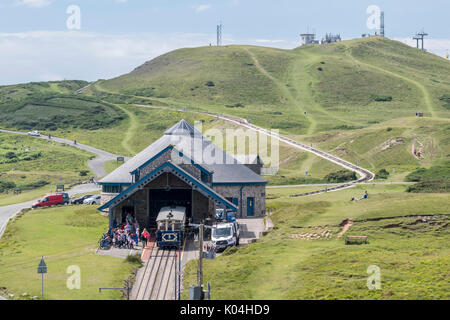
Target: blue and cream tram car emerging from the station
pixel 171 222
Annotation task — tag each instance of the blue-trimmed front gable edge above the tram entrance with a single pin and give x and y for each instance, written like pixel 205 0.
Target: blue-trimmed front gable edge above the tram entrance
pixel 169 167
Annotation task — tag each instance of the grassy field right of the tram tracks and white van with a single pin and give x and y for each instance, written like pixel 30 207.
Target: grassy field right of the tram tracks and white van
pixel 412 255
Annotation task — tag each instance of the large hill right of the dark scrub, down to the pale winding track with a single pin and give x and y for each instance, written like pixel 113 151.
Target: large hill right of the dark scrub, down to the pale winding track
pixel 357 99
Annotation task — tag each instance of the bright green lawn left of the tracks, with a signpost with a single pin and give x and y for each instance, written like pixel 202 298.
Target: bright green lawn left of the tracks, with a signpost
pixel 65 237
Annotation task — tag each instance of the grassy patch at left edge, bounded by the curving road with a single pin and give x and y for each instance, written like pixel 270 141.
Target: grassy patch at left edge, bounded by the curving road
pixel 36 166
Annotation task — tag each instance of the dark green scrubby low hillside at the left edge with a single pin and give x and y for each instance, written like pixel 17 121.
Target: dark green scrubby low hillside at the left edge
pixel 54 105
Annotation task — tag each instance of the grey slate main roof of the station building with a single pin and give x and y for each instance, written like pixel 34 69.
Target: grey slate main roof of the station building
pixel 185 138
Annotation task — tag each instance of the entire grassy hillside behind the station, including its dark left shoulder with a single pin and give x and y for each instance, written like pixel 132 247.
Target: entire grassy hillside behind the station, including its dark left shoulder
pixel 356 99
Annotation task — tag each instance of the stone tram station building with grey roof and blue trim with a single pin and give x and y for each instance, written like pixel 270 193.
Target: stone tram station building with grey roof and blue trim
pixel 173 172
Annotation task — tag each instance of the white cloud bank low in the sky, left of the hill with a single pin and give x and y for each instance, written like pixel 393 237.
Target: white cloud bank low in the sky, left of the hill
pixel 48 55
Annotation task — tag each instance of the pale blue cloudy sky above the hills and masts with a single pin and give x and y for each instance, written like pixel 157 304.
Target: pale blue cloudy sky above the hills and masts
pixel 43 40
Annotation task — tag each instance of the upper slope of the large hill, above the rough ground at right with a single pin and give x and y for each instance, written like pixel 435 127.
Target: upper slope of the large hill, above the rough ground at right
pixel 346 85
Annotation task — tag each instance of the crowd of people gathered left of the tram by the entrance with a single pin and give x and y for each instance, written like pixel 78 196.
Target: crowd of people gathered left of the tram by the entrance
pixel 125 236
